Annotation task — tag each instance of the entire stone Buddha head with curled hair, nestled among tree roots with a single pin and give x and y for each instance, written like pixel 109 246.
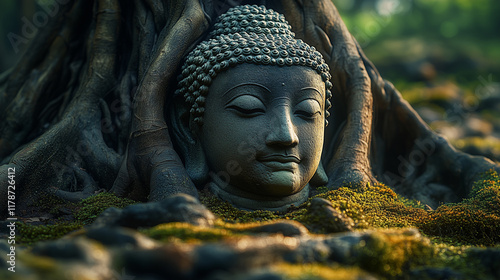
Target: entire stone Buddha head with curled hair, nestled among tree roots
pixel 252 109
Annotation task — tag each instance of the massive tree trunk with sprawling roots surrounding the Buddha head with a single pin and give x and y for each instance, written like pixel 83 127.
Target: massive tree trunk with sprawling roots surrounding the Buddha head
pixel 84 108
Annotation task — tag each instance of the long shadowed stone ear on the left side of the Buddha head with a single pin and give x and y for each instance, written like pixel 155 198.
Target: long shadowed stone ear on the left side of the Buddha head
pixel 187 141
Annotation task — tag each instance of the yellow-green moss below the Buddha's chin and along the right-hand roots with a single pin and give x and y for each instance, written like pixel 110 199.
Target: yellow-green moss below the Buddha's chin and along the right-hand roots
pixel 473 221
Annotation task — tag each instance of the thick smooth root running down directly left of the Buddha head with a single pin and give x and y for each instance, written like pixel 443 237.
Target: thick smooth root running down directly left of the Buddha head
pixel 152 165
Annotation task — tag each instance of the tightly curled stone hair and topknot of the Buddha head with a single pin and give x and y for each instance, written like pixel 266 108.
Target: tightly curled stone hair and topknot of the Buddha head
pixel 246 34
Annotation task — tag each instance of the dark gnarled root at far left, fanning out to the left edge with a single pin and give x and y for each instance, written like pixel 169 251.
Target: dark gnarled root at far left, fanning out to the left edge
pixel 76 141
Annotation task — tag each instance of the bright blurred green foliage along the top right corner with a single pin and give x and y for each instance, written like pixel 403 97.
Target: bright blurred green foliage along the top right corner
pixel 425 18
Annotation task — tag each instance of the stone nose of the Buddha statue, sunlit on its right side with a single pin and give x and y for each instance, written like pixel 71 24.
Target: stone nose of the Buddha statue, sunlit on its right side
pixel 282 130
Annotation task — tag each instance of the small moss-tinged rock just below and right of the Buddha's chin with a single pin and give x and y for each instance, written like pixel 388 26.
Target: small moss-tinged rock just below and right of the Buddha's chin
pixel 326 219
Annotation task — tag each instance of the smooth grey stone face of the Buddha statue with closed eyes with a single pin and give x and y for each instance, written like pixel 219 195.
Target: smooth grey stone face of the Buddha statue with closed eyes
pixel 264 127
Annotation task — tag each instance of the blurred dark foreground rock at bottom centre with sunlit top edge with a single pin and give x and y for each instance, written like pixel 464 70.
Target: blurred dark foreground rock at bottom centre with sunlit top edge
pixel 189 261
